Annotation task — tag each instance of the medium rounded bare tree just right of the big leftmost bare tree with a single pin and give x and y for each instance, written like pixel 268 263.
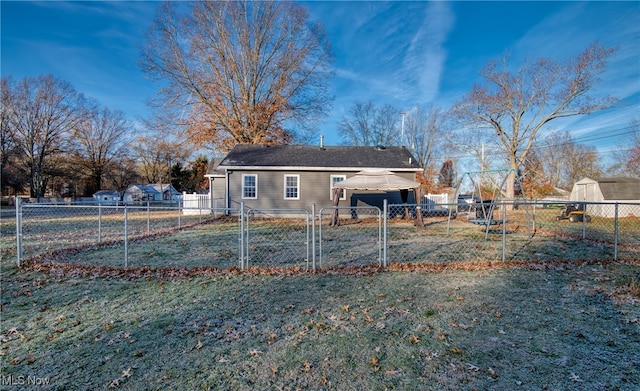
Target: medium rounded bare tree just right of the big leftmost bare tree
pixel 100 139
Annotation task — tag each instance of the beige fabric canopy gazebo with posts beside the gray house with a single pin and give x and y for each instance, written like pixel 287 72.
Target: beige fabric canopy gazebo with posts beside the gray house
pixel 377 180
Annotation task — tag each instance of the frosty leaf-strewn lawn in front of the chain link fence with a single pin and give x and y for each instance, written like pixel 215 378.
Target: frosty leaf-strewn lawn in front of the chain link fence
pixel 571 326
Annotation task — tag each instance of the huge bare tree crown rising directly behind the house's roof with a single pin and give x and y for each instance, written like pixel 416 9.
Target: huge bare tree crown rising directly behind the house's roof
pixel 240 71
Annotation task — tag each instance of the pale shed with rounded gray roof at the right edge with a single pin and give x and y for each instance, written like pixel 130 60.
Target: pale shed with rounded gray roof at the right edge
pixel 610 191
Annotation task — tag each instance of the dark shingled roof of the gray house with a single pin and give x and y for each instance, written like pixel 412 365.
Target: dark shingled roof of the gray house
pixel 305 156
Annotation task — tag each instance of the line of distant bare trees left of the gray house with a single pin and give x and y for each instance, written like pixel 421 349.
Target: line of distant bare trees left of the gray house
pixel 56 142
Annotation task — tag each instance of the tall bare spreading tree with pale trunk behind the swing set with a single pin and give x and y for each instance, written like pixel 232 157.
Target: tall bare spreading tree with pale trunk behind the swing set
pixel 515 106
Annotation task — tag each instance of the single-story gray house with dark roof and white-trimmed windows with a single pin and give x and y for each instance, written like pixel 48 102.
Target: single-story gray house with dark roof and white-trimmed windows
pixel 297 176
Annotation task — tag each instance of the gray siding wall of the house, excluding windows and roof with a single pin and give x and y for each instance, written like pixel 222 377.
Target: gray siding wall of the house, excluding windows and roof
pixel 314 188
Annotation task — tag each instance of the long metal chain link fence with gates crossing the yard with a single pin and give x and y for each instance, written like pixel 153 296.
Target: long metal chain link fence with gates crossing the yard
pixel 161 236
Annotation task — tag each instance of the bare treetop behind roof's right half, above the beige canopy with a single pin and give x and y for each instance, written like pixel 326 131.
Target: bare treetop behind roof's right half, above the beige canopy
pixel 369 125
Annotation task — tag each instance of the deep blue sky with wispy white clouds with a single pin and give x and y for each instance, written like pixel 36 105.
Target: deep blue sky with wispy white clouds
pixel 400 52
